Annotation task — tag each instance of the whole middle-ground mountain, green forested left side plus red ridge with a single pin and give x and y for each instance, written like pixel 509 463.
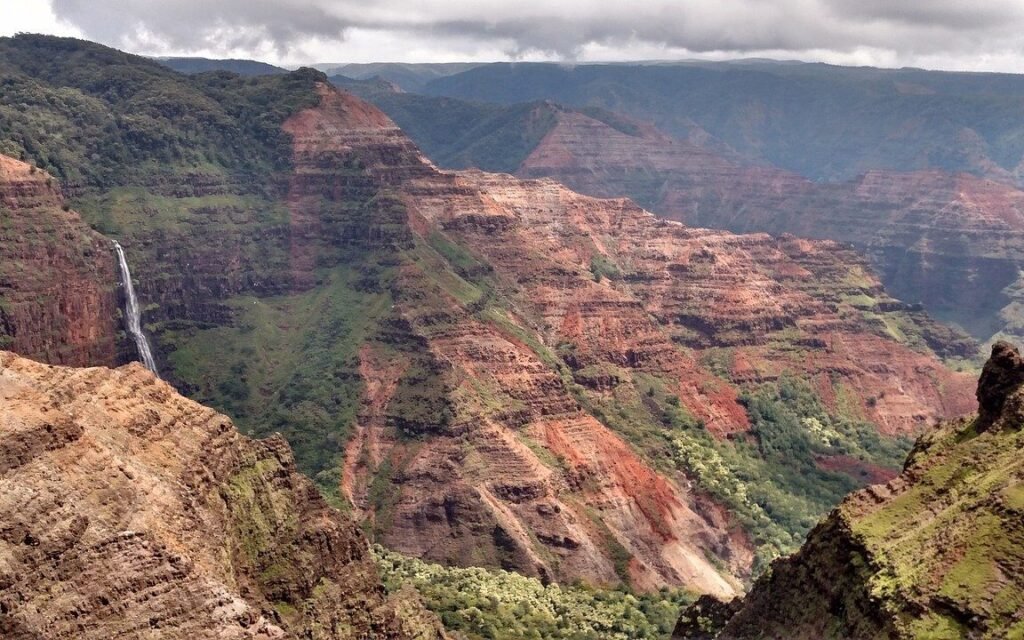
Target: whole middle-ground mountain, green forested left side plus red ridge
pixel 489 371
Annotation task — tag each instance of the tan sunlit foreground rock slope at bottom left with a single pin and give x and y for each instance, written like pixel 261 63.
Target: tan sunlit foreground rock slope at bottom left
pixel 131 510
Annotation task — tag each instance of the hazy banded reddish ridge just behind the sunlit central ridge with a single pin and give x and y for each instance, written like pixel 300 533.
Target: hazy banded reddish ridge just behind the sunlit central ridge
pixel 951 241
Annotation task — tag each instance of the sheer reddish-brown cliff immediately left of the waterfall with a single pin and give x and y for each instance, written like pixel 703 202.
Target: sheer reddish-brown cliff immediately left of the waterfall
pixel 59 298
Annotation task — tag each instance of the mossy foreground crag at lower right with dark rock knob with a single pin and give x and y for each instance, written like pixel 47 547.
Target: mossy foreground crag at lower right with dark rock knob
pixel 934 553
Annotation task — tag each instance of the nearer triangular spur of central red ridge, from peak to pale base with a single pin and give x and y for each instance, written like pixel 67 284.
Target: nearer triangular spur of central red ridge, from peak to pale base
pixel 473 492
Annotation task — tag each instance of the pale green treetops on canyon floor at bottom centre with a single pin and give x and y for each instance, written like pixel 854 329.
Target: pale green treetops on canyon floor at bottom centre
pixel 483 605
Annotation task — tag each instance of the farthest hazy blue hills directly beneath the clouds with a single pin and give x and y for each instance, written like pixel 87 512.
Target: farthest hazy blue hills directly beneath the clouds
pixel 823 122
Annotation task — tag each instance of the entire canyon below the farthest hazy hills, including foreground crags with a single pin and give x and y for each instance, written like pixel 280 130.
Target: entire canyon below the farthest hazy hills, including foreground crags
pixel 635 368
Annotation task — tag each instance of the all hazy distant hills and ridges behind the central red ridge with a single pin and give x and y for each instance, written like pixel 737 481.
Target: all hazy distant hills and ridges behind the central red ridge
pixel 920 170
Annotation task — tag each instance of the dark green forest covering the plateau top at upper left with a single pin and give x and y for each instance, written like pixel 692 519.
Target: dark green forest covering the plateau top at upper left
pixel 101 118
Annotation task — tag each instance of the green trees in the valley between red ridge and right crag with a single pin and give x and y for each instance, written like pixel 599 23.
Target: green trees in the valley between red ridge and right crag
pixel 776 483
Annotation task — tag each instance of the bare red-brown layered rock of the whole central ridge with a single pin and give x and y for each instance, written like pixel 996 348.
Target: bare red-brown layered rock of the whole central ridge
pixel 522 476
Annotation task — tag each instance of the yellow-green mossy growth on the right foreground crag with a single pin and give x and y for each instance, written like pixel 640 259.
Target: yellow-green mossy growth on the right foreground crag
pixel 955 535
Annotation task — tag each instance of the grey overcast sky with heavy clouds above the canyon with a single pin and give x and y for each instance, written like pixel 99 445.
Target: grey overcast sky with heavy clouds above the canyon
pixel 985 35
